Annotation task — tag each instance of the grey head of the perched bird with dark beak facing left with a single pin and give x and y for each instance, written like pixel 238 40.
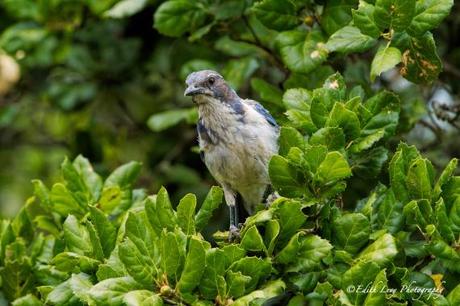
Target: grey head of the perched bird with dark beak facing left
pixel 205 85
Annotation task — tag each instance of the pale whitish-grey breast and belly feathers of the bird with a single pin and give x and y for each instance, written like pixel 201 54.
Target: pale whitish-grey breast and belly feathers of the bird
pixel 237 146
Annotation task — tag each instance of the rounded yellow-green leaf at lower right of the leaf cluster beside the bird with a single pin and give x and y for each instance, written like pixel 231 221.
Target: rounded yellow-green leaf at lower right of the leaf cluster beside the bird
pixel 333 168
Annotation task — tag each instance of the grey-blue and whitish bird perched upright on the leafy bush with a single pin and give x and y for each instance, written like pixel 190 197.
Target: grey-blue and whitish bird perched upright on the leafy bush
pixel 237 138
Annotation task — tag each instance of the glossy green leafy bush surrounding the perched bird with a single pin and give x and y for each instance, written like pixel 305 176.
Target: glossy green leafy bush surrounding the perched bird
pixel 361 219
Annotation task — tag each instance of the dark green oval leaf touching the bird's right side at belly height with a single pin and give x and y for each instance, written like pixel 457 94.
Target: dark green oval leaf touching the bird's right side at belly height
pixel 285 178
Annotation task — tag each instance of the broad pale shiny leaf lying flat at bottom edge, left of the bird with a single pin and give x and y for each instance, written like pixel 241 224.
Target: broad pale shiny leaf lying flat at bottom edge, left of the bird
pixel 111 291
